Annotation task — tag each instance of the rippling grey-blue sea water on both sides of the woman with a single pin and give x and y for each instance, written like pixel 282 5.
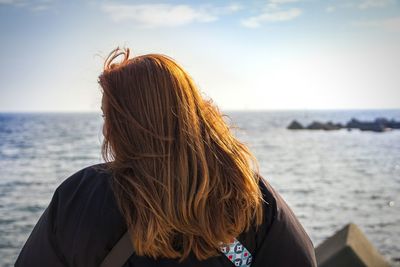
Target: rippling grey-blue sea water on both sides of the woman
pixel 329 178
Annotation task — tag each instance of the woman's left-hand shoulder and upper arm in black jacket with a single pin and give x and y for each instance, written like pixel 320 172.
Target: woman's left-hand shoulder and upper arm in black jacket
pixel 82 219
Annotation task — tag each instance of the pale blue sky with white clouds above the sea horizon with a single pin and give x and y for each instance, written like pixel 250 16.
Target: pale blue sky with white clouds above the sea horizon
pixel 245 55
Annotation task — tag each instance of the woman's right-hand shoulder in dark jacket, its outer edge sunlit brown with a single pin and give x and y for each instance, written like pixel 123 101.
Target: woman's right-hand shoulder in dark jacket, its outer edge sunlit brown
pixel 281 240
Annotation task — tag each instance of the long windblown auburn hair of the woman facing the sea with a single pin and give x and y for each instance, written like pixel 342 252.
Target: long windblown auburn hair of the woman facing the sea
pixel 182 181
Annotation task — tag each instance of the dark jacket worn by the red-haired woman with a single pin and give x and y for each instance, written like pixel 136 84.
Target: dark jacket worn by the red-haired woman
pixel 82 223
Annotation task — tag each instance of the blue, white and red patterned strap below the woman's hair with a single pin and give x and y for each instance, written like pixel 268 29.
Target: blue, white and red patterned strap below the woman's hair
pixel 237 253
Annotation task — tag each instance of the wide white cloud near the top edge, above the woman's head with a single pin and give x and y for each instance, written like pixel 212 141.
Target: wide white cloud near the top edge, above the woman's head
pixel 165 15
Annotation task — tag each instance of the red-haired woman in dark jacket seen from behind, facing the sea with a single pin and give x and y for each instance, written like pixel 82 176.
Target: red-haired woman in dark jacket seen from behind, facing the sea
pixel 176 185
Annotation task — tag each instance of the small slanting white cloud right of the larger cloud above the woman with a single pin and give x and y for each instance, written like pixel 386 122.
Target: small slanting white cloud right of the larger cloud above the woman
pixel 271 16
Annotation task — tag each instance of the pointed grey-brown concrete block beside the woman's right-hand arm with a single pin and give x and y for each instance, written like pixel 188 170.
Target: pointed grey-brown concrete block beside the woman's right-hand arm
pixel 349 247
